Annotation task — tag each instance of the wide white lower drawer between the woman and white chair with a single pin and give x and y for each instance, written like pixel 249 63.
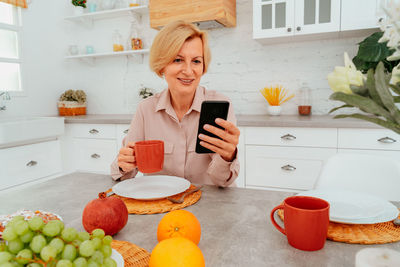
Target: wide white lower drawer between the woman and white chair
pixel 295 168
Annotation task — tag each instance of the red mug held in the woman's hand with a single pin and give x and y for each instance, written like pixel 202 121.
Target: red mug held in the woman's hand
pixel 149 155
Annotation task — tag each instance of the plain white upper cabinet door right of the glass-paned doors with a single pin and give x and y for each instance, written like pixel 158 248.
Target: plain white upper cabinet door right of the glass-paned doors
pixel 369 14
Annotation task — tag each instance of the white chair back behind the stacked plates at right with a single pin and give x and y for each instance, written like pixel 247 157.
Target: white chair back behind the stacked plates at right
pixel 378 175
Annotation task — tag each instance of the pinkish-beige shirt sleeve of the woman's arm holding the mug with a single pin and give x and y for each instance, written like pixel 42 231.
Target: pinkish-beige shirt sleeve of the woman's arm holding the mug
pixel 135 133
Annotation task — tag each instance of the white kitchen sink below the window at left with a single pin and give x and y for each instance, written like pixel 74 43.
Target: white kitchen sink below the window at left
pixel 16 131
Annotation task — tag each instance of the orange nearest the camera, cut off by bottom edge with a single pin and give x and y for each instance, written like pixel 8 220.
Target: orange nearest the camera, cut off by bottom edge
pixel 176 252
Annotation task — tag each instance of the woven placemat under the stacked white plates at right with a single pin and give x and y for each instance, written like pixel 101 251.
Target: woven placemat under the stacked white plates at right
pixel 379 233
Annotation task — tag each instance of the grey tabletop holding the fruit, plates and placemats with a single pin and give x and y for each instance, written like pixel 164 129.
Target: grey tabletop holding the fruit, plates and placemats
pixel 236 229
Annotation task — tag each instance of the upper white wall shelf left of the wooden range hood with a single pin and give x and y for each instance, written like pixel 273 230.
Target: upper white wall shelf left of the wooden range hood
pixel 112 13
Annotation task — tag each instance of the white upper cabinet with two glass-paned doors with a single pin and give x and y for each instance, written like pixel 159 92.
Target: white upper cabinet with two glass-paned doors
pixel 282 18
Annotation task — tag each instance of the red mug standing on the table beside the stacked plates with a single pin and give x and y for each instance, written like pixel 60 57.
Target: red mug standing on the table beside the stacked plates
pixel 306 221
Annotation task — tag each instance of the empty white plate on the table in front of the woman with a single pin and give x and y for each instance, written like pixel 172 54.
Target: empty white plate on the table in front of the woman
pixel 151 187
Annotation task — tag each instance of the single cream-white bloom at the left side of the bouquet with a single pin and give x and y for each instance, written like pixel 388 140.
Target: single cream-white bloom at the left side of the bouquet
pixel 342 77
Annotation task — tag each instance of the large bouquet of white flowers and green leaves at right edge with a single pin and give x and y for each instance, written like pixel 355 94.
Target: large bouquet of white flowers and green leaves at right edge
pixel 374 96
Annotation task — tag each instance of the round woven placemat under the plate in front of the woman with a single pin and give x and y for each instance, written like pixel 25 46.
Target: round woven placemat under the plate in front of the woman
pixel 136 206
